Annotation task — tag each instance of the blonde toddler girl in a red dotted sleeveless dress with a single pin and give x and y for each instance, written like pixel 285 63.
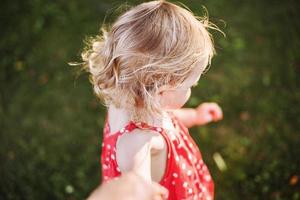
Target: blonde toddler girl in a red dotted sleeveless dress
pixel 143 69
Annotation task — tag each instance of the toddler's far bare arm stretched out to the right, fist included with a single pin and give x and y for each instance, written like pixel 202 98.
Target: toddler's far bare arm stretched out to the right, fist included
pixel 203 114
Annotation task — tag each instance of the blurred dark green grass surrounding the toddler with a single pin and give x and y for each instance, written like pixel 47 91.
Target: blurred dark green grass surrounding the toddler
pixel 51 123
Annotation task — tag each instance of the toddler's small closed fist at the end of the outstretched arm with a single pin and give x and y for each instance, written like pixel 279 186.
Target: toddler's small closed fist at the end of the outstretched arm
pixel 208 112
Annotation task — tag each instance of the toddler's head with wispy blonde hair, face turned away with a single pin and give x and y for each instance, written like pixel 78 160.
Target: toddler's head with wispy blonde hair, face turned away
pixel 151 48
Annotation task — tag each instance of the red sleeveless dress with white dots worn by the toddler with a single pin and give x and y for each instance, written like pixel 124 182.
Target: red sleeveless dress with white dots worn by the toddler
pixel 186 175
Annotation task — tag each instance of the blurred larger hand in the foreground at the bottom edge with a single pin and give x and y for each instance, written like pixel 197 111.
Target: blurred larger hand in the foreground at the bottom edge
pixel 129 187
